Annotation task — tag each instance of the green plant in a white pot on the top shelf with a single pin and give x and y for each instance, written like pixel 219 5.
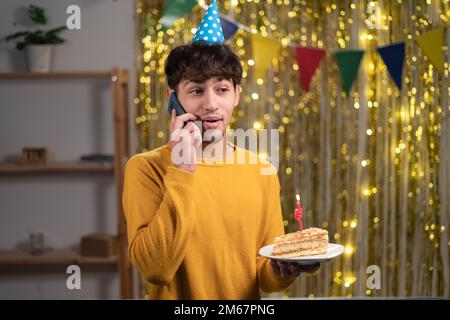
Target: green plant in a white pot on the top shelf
pixel 37 44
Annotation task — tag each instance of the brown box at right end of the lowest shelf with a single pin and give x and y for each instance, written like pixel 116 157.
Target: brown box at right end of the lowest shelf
pixel 99 245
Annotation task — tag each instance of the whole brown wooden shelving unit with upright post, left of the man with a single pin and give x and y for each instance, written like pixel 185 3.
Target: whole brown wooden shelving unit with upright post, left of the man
pixel 118 80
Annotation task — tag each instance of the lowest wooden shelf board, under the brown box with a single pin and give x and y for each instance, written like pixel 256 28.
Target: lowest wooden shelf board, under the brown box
pixel 52 257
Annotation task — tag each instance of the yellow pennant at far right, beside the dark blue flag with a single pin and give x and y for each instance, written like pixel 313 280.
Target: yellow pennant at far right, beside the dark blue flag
pixel 431 44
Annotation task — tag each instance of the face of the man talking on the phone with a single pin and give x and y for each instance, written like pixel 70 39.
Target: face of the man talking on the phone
pixel 212 101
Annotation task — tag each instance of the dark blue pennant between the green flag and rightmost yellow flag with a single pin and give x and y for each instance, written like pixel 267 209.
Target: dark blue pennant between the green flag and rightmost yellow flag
pixel 393 57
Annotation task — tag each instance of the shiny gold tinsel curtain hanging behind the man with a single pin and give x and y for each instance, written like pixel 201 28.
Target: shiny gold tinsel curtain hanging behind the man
pixel 372 166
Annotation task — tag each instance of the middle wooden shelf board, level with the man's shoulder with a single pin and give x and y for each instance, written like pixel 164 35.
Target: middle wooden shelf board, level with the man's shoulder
pixel 57 167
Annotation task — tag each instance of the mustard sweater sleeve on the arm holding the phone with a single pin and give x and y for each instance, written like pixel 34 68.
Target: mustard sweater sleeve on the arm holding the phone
pixel 159 222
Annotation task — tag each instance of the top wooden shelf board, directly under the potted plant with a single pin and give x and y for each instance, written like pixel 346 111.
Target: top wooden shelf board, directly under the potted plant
pixel 59 74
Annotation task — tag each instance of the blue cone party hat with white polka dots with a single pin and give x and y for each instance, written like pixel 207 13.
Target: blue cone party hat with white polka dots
pixel 210 29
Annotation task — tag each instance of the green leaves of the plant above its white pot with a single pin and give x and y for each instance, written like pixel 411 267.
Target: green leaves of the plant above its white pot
pixel 38 37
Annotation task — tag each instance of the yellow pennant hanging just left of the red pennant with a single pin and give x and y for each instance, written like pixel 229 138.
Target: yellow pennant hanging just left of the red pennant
pixel 264 50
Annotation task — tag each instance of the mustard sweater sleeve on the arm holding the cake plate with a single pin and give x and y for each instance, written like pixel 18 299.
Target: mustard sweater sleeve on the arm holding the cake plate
pixel 268 281
